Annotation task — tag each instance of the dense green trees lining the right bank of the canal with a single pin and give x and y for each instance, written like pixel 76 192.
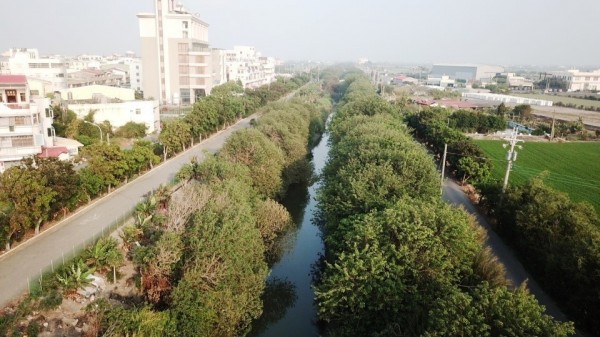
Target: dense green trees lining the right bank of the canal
pixel 399 261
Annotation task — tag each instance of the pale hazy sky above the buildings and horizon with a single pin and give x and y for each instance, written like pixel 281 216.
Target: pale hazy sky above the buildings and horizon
pixel 559 32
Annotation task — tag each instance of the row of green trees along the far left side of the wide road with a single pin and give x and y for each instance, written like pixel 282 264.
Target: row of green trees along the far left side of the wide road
pixel 47 190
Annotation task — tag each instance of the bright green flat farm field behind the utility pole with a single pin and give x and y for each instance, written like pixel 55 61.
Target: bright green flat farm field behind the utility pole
pixel 573 168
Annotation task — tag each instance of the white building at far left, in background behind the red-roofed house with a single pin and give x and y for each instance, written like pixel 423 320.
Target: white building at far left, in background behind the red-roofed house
pixel 27 61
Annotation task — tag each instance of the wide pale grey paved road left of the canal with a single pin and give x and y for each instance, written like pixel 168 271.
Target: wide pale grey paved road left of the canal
pixel 28 259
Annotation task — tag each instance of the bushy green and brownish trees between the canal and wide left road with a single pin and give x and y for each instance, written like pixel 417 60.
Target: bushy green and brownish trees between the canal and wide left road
pixel 201 248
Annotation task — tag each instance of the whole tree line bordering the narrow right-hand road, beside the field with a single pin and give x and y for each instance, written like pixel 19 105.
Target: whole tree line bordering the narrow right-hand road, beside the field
pixel 566 264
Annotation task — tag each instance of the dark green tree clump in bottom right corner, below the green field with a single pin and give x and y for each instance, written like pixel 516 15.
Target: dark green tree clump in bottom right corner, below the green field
pixel 559 242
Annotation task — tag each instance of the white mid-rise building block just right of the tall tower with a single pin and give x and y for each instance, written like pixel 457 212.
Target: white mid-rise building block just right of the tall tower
pixel 246 65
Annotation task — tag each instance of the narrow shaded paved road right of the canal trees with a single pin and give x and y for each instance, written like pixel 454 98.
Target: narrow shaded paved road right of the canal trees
pixel 514 269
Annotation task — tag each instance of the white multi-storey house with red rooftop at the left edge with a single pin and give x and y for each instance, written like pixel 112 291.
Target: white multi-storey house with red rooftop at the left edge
pixel 25 123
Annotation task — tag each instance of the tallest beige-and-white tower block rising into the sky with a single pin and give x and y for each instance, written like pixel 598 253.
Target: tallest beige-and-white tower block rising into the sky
pixel 176 57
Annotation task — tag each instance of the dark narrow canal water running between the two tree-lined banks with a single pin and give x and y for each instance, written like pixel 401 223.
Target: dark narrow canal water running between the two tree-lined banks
pixel 289 308
